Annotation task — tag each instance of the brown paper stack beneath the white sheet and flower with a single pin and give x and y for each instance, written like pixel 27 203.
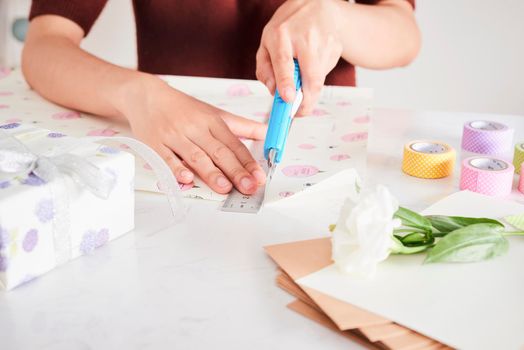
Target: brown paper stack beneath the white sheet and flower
pixel 299 259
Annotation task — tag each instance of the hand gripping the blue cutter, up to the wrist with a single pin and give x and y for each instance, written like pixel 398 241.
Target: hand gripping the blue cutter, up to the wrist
pixel 309 31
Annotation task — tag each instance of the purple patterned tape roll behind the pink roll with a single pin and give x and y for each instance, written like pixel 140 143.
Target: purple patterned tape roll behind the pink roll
pixel 486 137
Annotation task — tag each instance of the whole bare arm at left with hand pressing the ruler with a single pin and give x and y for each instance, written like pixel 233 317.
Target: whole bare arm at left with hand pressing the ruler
pixel 176 125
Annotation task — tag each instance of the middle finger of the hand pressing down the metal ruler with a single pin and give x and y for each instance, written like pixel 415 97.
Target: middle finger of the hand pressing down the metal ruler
pixel 226 160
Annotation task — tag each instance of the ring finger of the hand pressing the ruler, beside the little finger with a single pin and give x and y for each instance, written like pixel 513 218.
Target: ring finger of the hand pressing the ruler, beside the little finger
pixel 200 162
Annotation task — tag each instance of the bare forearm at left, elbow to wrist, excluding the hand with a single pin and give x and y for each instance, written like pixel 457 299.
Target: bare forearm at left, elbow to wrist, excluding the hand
pixel 57 68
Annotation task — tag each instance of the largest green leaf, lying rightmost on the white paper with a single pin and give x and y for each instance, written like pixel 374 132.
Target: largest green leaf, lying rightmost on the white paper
pixel 471 243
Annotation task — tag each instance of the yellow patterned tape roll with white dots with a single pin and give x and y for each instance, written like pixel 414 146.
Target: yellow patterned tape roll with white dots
pixel 428 159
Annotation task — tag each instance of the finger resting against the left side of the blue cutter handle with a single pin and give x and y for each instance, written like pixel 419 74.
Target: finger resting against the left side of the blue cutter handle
pixel 281 54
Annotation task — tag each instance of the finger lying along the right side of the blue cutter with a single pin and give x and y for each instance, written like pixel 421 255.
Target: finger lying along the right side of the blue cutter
pixel 312 78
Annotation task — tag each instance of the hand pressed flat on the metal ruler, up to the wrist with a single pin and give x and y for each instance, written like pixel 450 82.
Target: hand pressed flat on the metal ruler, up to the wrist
pixel 195 137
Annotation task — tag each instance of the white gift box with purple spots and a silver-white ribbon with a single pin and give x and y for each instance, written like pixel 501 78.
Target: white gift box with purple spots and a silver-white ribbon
pixel 44 224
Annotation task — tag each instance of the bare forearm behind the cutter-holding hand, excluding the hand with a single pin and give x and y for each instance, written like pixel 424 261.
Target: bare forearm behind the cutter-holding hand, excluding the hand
pixel 380 36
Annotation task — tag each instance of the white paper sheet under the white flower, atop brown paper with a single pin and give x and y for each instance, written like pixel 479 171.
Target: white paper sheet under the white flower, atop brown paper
pixel 467 306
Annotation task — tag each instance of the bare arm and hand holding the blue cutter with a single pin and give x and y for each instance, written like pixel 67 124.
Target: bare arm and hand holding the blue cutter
pixel 319 32
